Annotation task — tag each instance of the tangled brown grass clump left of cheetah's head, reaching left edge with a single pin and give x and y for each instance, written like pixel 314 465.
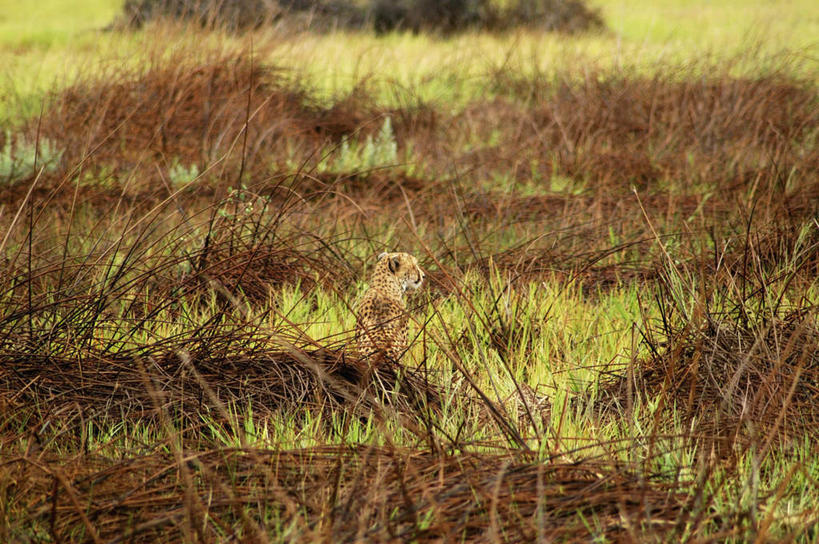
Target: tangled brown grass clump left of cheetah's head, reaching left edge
pixel 240 257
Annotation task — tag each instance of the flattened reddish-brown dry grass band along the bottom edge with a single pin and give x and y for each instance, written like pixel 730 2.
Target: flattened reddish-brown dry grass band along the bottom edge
pixel 340 494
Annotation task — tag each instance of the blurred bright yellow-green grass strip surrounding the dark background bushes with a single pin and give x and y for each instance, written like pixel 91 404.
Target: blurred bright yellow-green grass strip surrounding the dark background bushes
pixel 47 45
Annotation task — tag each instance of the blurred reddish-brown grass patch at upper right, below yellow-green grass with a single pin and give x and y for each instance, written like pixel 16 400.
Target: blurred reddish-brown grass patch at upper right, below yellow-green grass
pixel 622 130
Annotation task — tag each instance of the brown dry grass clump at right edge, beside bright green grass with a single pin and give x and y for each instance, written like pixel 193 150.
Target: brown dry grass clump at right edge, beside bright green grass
pixel 735 386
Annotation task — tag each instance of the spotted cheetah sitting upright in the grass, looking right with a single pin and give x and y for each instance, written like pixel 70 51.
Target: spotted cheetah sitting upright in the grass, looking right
pixel 381 324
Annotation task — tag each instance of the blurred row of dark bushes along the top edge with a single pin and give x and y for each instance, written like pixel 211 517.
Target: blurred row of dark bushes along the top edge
pixel 444 16
